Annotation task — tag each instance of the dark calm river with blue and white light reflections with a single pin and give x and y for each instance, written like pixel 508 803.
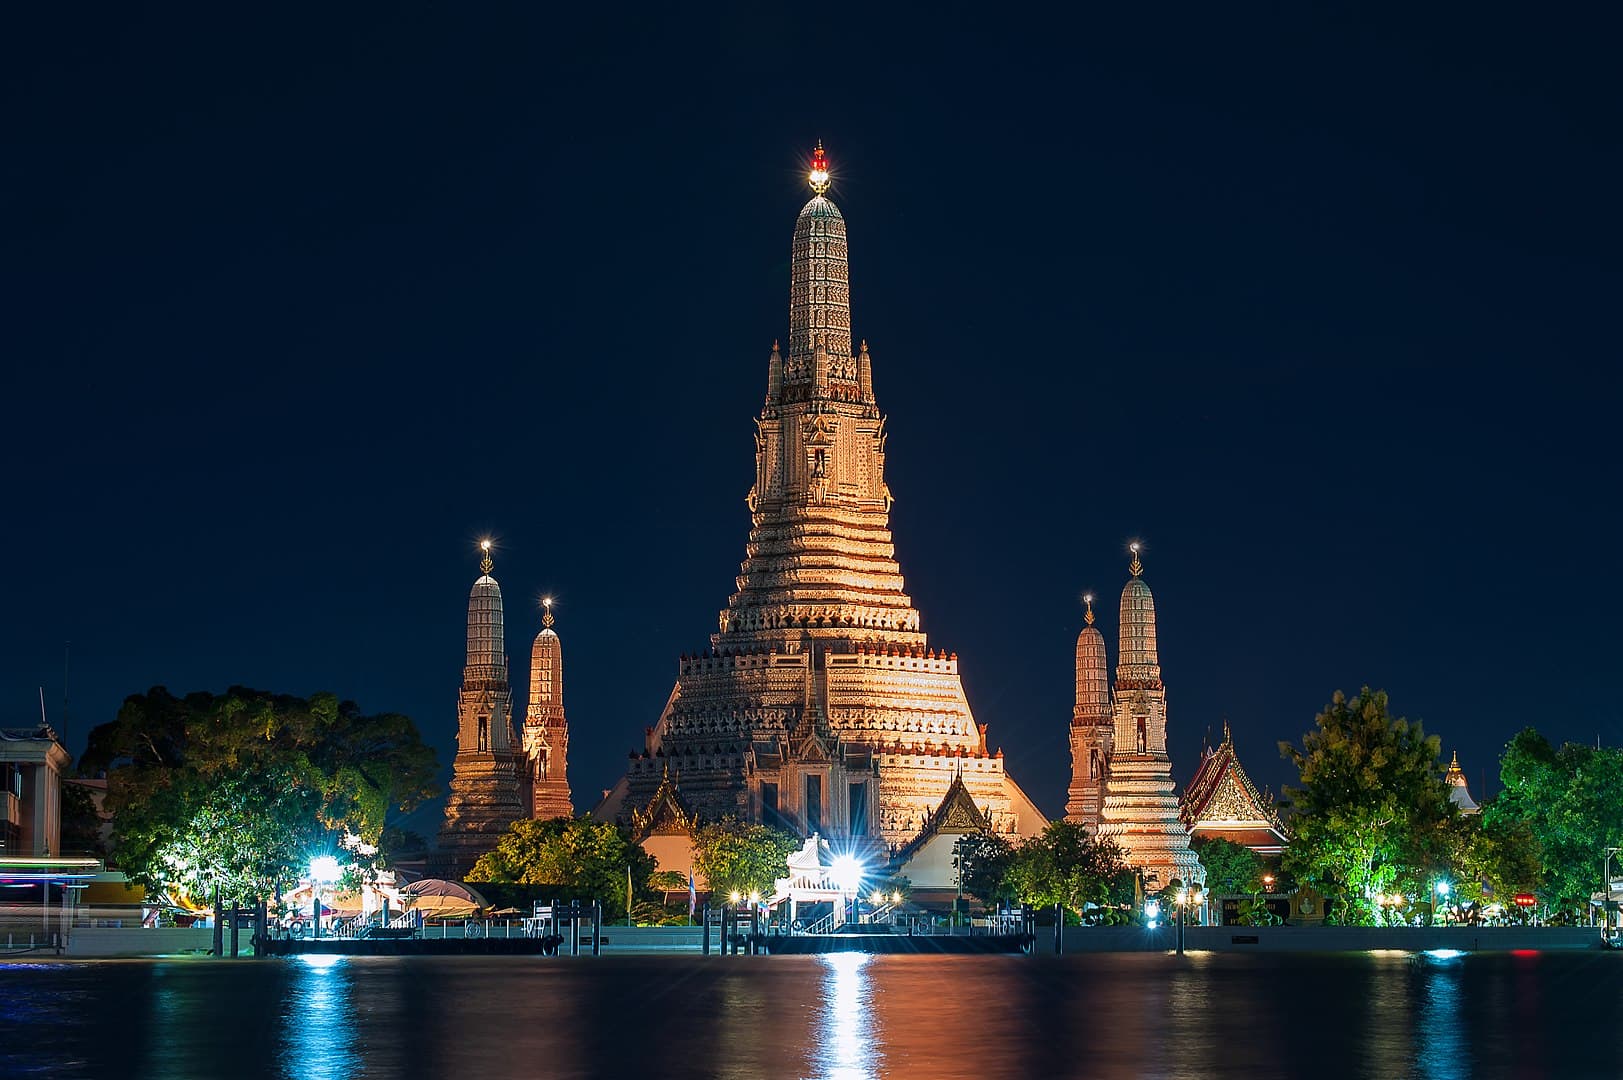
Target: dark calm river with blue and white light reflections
pixel 845 1016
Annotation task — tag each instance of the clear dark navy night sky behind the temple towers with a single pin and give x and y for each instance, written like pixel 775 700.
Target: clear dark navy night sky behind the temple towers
pixel 1320 306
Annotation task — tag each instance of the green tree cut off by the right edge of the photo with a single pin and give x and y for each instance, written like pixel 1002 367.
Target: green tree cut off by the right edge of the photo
pixel 1569 801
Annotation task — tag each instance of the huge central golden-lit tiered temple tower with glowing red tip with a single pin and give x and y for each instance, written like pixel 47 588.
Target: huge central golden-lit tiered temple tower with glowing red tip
pixel 820 706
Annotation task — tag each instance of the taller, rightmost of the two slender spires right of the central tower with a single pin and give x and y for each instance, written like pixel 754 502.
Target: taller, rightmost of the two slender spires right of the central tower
pixel 1140 810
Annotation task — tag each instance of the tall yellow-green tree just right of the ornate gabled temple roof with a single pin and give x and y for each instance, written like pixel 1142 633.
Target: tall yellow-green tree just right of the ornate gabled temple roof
pixel 1372 814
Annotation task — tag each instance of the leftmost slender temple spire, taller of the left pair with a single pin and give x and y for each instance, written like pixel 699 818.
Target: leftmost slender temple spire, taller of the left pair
pixel 488 771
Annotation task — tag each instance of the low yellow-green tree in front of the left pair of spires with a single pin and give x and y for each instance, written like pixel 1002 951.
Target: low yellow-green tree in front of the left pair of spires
pixel 575 853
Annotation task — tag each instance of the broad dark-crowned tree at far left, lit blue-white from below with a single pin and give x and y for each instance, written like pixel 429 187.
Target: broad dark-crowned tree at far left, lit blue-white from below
pixel 241 790
